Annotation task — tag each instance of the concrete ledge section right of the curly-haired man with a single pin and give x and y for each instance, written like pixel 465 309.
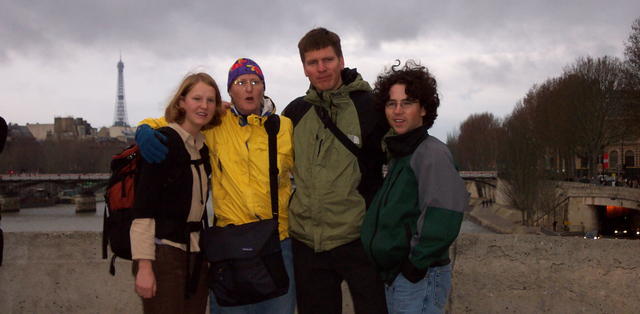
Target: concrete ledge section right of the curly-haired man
pixel 542 274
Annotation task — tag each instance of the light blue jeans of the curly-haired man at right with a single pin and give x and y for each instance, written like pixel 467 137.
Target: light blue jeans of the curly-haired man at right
pixel 428 295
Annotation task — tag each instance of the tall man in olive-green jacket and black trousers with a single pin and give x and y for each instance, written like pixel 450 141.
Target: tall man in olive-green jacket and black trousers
pixel 333 185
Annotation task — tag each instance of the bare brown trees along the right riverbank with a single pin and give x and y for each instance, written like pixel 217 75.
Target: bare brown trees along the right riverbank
pixel 593 103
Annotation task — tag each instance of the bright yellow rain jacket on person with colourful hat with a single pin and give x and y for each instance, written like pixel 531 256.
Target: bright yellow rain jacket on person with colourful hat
pixel 239 155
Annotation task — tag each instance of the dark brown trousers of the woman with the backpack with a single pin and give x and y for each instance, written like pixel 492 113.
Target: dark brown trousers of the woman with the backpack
pixel 170 271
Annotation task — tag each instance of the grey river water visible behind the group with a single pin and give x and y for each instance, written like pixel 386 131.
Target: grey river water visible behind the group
pixel 63 217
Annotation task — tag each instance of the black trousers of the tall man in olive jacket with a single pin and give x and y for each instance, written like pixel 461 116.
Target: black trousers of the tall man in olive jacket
pixel 320 275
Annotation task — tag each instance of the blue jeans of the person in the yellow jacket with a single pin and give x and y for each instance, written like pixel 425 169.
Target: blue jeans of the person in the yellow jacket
pixel 285 304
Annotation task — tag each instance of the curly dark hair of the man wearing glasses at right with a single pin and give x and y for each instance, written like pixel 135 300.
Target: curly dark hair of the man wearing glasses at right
pixel 419 84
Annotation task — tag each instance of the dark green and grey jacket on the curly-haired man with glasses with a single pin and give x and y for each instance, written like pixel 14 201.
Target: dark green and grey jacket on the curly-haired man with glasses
pixel 417 213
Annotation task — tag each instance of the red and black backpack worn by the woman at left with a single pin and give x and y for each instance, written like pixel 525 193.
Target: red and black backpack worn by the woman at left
pixel 119 199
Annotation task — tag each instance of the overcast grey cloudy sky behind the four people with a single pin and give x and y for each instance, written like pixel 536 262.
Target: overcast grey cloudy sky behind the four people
pixel 58 58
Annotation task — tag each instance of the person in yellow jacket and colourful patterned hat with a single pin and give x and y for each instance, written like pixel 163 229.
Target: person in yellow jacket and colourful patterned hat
pixel 238 149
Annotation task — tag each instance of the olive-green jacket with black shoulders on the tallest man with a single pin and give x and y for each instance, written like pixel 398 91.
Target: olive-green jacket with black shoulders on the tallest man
pixel 333 187
